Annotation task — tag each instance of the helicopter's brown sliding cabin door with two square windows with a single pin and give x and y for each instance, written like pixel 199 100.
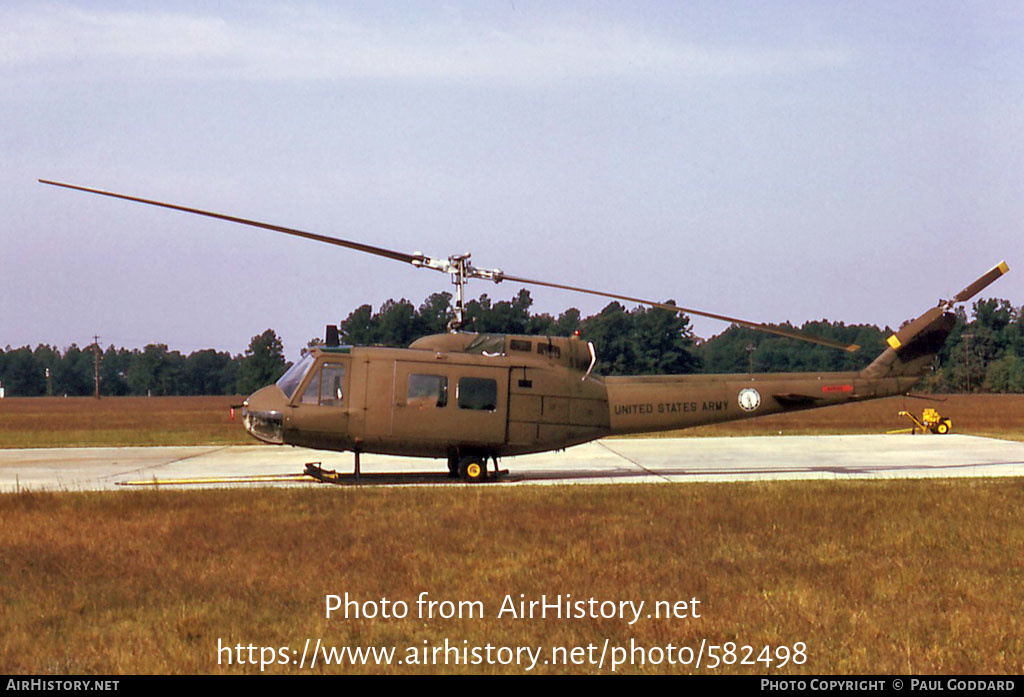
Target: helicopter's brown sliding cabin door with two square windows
pixel 454 405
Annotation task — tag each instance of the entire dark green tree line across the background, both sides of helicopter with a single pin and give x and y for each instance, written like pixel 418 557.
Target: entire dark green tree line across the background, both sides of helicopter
pixel 985 353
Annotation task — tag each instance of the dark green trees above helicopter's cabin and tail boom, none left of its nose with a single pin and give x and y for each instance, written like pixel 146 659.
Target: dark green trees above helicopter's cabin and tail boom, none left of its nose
pixel 984 354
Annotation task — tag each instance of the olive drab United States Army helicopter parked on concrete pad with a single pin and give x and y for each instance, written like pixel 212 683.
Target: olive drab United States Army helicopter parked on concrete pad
pixel 474 398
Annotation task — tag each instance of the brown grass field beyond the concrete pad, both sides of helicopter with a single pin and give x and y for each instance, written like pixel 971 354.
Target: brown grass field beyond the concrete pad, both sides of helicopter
pixel 55 422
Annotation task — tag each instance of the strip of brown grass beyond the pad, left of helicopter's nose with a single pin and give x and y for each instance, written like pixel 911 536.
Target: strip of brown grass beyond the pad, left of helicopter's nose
pixel 59 422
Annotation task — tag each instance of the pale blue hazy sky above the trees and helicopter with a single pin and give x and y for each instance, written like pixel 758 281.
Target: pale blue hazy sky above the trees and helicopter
pixel 772 161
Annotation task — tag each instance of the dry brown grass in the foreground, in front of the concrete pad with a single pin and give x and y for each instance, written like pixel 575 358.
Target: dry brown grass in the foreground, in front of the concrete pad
pixel 875 578
